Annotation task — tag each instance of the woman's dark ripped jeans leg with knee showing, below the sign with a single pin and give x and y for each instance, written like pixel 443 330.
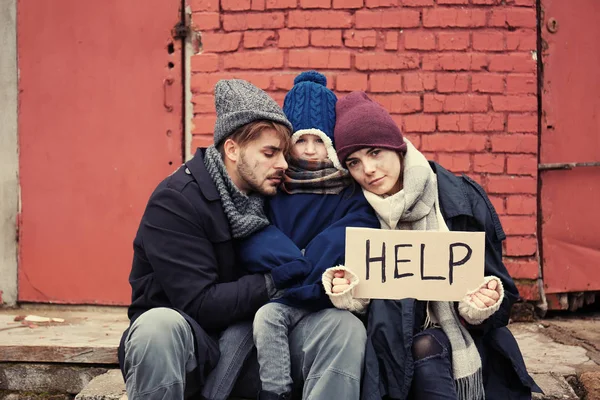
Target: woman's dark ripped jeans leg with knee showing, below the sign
pixel 433 378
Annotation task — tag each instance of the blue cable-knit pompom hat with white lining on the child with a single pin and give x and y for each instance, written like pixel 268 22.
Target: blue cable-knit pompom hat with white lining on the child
pixel 310 107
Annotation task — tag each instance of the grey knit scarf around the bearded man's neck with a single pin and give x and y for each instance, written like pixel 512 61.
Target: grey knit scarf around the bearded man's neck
pixel 245 213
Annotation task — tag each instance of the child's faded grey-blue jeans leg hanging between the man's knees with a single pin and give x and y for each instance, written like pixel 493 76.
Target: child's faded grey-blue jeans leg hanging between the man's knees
pixel 272 324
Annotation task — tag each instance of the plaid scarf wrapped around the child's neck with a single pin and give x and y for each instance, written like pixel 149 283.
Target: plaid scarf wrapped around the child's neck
pixel 318 177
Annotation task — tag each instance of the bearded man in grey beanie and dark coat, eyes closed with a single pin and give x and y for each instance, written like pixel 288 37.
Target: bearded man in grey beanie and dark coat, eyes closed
pixel 190 303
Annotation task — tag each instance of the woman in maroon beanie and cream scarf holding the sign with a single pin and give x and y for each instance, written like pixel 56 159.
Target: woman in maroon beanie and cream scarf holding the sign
pixel 416 349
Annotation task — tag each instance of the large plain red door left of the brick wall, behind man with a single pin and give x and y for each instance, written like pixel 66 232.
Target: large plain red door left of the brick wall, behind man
pixel 100 124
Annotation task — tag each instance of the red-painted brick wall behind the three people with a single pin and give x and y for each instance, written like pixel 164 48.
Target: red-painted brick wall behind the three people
pixel 459 77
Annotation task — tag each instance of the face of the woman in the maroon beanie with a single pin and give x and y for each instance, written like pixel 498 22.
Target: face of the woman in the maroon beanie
pixel 377 170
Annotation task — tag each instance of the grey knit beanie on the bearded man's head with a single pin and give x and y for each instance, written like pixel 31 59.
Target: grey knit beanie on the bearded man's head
pixel 238 103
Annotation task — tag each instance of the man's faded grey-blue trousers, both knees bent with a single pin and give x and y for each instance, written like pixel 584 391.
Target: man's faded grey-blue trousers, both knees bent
pixel 327 352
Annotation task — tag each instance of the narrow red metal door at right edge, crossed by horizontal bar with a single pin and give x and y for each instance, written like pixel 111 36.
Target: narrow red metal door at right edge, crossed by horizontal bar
pixel 570 134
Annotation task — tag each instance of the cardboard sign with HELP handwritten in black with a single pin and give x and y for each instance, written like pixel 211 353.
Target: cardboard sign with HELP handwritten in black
pixel 396 264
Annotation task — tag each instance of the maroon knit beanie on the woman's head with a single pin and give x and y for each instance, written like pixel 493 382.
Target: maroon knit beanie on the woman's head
pixel 360 123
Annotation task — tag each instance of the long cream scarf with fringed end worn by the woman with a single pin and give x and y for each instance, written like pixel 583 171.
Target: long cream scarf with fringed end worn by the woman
pixel 416 207
